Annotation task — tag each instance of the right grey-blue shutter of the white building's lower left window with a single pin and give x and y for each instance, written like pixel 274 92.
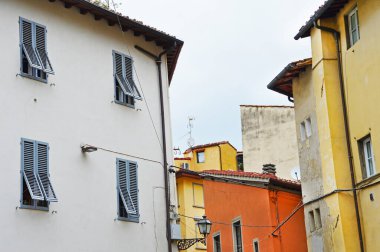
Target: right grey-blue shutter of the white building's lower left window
pixel 43 172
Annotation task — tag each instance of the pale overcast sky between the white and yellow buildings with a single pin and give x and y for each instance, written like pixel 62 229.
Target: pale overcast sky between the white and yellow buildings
pixel 232 50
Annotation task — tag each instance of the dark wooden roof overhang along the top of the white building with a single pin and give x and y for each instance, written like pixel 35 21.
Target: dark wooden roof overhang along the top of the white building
pixel 166 41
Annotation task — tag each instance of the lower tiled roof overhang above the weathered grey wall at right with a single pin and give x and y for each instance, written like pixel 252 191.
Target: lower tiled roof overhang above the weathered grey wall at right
pixel 283 82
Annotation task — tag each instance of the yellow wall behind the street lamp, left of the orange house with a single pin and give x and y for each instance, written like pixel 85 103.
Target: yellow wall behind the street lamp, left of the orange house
pixel 191 203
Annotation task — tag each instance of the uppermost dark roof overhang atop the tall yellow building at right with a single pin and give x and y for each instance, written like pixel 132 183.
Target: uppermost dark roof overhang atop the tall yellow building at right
pixel 329 9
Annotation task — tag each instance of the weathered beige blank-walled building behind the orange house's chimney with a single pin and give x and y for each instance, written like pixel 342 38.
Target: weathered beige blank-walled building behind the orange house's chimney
pixel 269 136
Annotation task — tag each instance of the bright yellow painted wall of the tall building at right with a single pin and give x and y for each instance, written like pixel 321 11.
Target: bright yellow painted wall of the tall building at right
pixel 361 64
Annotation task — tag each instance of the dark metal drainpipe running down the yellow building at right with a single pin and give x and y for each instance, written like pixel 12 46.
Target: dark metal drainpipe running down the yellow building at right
pixel 346 128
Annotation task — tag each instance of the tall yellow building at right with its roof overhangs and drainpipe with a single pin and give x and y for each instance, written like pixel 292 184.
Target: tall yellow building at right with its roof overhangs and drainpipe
pixel 338 125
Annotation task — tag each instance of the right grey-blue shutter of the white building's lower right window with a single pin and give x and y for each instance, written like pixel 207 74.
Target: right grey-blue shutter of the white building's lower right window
pixel 133 189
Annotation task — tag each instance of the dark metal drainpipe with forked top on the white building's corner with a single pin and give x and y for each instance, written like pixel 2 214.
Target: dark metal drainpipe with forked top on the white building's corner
pixel 158 61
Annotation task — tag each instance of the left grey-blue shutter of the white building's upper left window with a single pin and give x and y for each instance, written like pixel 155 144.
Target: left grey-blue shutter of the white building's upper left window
pixel 27 44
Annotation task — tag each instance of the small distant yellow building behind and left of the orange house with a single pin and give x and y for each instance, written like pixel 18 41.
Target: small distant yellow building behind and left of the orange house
pixel 213 156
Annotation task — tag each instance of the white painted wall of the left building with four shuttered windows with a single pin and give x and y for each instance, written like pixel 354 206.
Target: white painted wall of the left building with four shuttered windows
pixel 76 106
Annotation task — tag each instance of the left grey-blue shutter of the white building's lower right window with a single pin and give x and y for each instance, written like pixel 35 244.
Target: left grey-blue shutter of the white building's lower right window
pixel 123 187
